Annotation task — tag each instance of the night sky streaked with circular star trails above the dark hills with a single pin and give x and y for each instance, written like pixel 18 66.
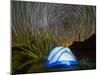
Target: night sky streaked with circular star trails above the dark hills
pixel 71 22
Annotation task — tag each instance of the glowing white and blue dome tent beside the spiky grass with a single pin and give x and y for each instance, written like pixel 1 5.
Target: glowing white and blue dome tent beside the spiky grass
pixel 61 56
